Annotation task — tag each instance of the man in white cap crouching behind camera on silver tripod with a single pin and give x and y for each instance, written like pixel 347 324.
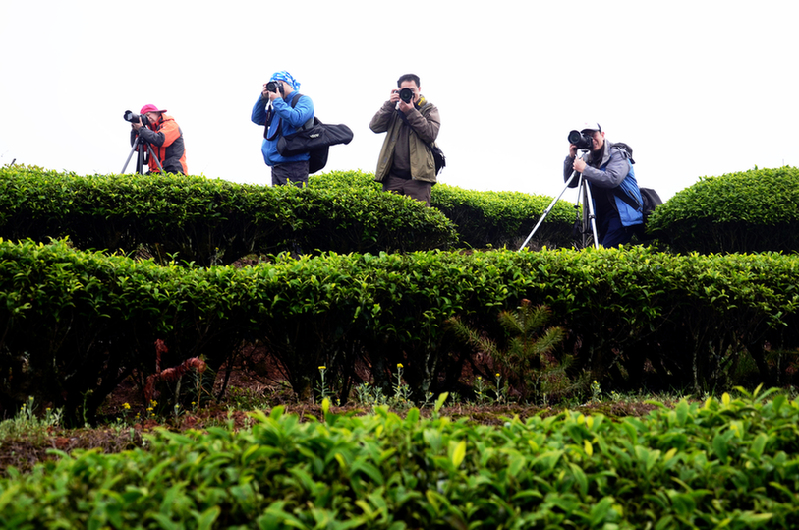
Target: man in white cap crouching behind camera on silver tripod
pixel 608 171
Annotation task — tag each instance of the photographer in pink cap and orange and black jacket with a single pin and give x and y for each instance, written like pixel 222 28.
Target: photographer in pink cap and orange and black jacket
pixel 164 136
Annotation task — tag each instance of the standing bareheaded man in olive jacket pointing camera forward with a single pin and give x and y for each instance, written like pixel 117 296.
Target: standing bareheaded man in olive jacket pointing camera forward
pixel 405 164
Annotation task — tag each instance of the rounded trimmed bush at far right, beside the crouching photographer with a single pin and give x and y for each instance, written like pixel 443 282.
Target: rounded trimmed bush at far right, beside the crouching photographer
pixel 749 211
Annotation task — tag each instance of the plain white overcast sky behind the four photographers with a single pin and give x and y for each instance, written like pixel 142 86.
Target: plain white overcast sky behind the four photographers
pixel 696 87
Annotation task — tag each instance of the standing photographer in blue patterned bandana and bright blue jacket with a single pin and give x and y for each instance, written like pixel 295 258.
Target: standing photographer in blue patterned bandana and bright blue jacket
pixel 275 111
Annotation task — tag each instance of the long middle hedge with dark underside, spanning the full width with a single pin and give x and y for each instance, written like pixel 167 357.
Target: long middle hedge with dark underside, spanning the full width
pixel 73 322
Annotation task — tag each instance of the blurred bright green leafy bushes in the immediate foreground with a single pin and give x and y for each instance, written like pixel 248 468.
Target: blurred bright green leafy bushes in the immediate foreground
pixel 730 464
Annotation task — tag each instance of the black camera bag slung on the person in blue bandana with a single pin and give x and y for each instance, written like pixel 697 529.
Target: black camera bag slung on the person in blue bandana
pixel 314 137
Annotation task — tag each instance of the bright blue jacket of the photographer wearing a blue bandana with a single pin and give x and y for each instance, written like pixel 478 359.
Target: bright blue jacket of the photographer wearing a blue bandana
pixel 290 120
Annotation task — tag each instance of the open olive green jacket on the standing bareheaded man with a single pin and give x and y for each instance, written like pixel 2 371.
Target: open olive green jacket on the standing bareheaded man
pixel 424 122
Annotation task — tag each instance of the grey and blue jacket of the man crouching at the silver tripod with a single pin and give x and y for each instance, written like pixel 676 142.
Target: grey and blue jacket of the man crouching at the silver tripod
pixel 615 171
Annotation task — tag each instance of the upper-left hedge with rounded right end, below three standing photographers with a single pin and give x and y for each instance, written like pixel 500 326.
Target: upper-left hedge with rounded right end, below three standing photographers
pixel 210 221
